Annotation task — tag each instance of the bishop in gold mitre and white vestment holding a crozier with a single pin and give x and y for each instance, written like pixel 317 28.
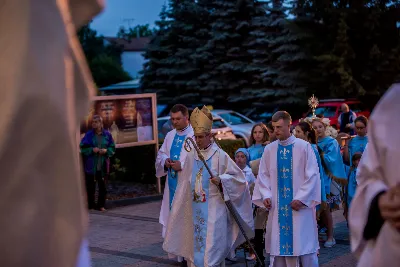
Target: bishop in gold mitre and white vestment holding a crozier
pixel 200 227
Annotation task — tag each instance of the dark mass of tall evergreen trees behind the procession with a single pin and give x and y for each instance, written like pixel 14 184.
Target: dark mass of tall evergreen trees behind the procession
pixel 245 52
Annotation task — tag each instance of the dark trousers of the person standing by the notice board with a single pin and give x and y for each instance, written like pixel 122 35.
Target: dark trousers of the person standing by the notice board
pixel 91 189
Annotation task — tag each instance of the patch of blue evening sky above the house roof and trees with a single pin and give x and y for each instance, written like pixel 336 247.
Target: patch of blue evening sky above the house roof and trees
pixel 126 13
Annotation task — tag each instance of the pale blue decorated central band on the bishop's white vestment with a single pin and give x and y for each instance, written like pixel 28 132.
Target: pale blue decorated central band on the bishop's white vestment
pixel 200 191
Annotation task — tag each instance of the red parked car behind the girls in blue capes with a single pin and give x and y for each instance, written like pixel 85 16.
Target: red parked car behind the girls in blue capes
pixel 330 108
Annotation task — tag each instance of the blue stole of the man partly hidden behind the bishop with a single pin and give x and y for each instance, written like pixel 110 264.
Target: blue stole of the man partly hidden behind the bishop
pixel 175 154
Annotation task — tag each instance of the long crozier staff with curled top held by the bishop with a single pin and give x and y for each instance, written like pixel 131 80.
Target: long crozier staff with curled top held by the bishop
pixel 188 142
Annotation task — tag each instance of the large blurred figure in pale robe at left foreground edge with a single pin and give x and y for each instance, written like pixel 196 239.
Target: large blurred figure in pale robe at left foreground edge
pixel 45 90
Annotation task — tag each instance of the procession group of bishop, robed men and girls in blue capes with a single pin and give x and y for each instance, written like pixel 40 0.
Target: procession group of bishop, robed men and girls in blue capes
pixel 284 188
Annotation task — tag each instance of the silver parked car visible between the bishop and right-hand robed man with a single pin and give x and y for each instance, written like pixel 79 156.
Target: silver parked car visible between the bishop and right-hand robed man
pixel 240 124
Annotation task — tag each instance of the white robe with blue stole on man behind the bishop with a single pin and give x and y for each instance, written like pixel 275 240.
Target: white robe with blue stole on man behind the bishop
pixel 172 148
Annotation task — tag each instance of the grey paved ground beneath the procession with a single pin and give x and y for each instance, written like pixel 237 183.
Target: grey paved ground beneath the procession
pixel 131 236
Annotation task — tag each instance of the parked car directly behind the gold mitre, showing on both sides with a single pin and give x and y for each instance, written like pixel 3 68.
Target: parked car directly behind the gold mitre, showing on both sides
pixel 221 130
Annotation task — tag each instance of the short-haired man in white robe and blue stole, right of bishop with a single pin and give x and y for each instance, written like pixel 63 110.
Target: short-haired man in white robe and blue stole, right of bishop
pixel 288 184
